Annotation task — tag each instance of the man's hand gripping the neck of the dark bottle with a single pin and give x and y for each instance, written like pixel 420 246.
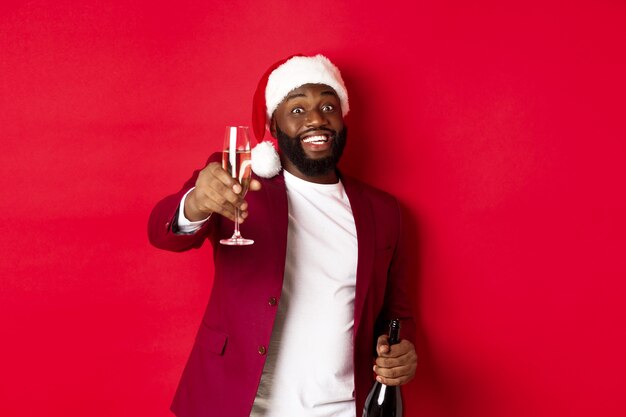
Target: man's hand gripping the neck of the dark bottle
pixel 395 364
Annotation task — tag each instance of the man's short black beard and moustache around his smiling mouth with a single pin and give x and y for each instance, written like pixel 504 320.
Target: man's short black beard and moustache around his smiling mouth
pixel 293 150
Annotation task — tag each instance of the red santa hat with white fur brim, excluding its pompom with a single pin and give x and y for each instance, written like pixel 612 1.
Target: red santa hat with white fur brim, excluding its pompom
pixel 287 75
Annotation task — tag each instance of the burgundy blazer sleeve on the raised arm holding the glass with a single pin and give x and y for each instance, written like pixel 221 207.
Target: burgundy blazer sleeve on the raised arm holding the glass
pixel 162 224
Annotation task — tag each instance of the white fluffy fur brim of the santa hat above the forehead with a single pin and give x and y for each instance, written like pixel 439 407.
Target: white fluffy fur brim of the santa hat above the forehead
pixel 301 70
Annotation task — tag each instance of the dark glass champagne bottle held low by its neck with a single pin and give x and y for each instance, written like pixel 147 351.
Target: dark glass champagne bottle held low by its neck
pixel 383 400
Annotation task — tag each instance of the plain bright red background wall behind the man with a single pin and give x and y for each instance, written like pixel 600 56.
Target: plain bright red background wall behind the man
pixel 500 127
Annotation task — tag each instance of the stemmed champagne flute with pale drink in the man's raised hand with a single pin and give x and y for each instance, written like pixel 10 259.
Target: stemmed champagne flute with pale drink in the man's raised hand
pixel 236 161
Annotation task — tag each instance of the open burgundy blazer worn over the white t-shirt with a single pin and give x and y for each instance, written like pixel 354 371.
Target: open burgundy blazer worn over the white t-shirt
pixel 225 365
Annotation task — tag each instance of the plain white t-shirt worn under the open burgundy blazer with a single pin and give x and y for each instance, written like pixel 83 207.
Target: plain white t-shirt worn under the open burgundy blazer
pixel 309 369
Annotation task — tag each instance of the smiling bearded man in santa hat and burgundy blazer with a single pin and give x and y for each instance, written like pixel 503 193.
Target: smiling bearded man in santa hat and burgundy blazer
pixel 296 320
